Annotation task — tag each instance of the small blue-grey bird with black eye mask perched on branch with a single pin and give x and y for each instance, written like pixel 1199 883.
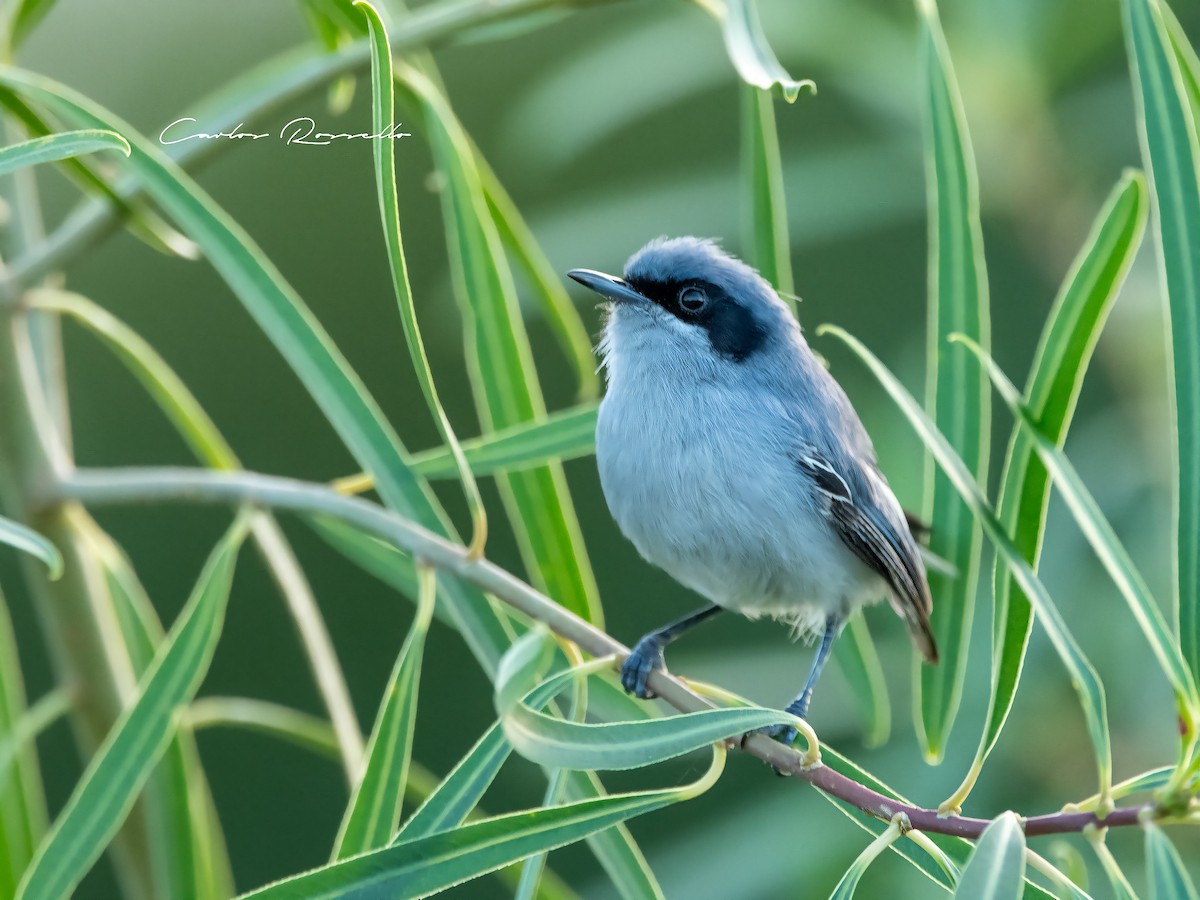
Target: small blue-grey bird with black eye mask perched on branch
pixel 734 461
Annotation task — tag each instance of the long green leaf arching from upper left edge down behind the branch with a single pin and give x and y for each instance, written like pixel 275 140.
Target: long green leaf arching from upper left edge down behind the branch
pixel 298 337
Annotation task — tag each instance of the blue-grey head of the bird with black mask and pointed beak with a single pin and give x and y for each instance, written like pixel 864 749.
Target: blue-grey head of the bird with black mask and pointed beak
pixel 685 303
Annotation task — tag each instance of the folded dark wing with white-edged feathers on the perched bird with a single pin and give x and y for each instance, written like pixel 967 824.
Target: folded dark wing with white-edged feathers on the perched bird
pixel 866 530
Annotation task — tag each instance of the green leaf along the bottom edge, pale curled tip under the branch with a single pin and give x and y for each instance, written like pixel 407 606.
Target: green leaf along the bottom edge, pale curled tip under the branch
pixel 429 865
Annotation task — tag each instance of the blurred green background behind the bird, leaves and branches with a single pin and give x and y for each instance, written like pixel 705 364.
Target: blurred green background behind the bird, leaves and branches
pixel 611 127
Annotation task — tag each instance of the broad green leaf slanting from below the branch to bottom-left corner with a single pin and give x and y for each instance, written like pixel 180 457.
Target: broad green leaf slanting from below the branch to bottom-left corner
pixel 123 764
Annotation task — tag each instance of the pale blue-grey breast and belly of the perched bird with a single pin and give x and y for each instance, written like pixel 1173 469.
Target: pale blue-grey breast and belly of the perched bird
pixel 725 513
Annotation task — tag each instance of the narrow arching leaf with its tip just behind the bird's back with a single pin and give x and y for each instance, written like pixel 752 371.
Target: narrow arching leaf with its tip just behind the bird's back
pixel 1083 676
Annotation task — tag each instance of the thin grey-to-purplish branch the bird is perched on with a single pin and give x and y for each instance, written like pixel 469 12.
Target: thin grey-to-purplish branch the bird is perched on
pixel 159 485
